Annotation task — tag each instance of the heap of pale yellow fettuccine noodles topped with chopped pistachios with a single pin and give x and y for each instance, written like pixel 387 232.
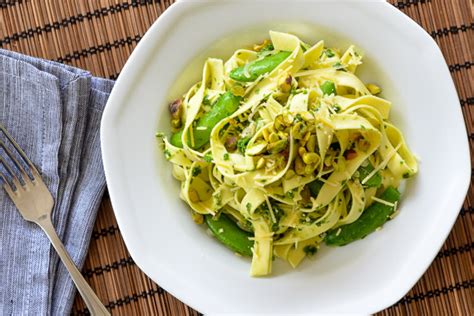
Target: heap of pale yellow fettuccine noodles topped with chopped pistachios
pixel 287 165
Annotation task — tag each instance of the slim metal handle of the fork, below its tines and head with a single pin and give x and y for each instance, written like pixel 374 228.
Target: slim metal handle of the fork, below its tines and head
pixel 93 303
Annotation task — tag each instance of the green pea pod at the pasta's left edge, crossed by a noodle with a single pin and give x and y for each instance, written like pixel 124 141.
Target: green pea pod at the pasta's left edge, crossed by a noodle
pixel 225 105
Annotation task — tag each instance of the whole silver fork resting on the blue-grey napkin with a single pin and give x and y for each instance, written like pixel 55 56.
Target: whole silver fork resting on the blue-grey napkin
pixel 35 203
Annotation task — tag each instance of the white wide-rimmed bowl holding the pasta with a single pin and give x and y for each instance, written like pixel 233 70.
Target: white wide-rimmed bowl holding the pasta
pixel 363 277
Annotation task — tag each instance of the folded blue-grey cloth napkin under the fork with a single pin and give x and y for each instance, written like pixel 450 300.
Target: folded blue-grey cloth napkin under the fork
pixel 53 111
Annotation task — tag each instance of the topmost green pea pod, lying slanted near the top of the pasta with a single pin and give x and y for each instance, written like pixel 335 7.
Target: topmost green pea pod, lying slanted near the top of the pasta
pixel 256 68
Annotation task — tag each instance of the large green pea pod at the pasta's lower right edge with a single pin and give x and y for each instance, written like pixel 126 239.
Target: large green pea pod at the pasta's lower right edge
pixel 371 219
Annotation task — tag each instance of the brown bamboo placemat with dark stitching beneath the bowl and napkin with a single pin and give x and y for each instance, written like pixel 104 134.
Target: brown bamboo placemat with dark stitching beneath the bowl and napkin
pixel 100 35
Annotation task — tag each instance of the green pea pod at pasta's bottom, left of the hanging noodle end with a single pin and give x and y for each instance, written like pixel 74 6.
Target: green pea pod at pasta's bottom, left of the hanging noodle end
pixel 227 232
